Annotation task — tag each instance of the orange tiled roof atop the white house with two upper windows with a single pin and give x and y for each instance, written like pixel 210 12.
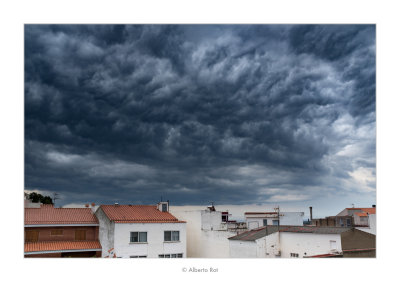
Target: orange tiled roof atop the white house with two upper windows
pixel 137 213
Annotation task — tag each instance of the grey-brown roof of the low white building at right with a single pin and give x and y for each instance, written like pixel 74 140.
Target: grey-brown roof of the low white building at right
pixel 258 233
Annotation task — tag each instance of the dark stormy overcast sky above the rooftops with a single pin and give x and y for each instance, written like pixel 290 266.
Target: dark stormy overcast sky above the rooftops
pixel 234 114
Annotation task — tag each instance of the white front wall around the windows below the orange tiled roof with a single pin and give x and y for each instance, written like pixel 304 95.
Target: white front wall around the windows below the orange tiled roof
pixel 155 244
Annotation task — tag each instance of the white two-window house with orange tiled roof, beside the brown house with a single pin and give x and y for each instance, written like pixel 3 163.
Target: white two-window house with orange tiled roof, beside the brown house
pixel 140 232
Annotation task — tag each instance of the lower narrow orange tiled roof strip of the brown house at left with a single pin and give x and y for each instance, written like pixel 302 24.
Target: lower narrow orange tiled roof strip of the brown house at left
pixel 61 246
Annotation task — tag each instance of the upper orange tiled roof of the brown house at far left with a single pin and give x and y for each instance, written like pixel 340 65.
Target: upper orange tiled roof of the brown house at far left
pixel 47 214
